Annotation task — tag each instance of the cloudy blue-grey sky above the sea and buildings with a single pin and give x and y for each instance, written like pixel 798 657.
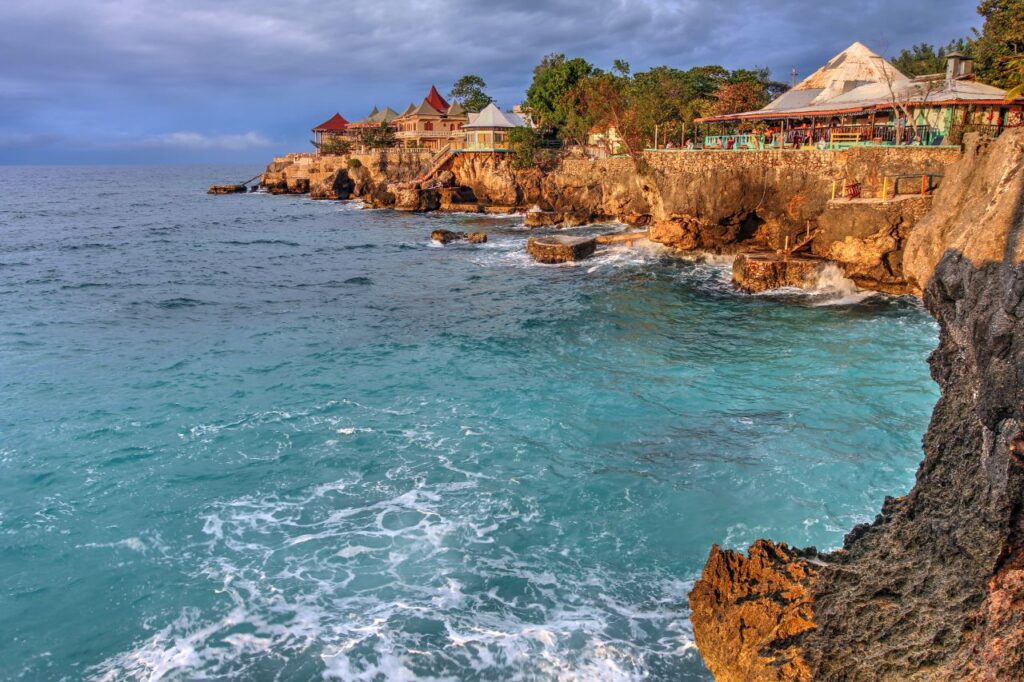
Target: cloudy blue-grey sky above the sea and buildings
pixel 238 81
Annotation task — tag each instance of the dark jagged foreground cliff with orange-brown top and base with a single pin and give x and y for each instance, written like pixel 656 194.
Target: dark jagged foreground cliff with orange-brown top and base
pixel 934 588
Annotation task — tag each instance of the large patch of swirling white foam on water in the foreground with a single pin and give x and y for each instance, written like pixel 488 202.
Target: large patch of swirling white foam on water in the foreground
pixel 339 578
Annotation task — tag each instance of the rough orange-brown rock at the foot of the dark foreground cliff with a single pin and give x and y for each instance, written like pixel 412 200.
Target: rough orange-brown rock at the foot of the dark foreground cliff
pixel 747 612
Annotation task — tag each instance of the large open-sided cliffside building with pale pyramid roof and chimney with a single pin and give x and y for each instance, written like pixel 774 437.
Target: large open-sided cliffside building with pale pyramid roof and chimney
pixel 860 98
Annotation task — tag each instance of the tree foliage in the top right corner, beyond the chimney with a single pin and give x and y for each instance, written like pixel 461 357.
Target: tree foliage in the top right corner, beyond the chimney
pixel 1000 48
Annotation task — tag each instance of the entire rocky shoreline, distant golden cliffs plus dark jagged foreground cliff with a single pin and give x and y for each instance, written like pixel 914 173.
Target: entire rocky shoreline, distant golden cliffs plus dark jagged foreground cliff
pixel 933 588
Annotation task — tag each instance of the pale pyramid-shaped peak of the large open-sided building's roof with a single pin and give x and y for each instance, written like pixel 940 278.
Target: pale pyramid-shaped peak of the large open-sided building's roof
pixel 851 69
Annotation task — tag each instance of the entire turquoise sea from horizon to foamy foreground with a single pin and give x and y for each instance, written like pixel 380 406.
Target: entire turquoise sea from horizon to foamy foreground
pixel 263 438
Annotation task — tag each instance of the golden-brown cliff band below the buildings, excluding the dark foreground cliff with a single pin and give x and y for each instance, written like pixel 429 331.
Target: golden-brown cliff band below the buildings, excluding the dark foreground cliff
pixel 752 202
